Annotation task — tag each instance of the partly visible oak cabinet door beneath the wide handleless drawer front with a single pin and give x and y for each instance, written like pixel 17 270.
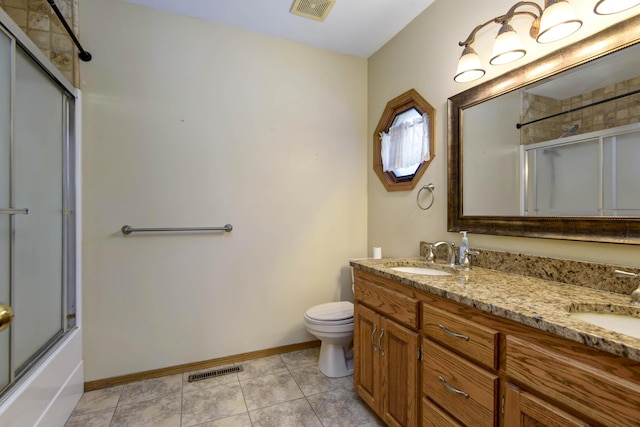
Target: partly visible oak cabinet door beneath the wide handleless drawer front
pixel 525 410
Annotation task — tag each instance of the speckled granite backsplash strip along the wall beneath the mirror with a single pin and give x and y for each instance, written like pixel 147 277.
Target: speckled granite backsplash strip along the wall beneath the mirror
pixel 580 273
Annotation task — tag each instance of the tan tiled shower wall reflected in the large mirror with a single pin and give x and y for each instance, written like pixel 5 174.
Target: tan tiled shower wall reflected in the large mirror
pixel 620 112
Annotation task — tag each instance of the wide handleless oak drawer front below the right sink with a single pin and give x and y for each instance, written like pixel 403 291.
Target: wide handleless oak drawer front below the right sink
pixel 591 392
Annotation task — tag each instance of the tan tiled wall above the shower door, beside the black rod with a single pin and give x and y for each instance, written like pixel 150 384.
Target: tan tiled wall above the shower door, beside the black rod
pixel 38 20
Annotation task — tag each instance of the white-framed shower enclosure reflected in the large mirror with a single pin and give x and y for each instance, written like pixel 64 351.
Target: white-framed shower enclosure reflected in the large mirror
pixel 593 174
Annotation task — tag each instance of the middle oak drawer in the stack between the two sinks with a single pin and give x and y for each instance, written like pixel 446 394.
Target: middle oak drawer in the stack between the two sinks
pixel 460 387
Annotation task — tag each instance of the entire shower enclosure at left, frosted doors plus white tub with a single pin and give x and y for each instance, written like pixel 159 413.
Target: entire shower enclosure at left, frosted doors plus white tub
pixel 37 235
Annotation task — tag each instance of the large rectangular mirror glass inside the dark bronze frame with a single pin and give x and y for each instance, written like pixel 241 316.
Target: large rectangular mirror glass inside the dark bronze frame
pixel 565 146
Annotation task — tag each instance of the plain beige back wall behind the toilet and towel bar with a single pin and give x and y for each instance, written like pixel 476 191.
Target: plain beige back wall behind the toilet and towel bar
pixel 188 123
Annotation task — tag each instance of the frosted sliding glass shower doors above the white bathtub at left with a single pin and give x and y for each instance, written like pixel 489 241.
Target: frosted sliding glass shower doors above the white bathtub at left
pixel 35 212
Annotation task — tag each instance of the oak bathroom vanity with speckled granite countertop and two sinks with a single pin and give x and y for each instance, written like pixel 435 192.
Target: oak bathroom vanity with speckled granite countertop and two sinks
pixel 439 346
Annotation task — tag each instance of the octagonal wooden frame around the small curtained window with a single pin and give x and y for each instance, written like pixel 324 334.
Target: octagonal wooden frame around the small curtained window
pixel 408 100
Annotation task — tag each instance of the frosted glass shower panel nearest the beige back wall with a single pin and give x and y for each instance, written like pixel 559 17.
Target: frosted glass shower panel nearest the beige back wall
pixel 38 237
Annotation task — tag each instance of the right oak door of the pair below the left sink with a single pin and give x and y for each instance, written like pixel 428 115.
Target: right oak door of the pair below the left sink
pixel 399 357
